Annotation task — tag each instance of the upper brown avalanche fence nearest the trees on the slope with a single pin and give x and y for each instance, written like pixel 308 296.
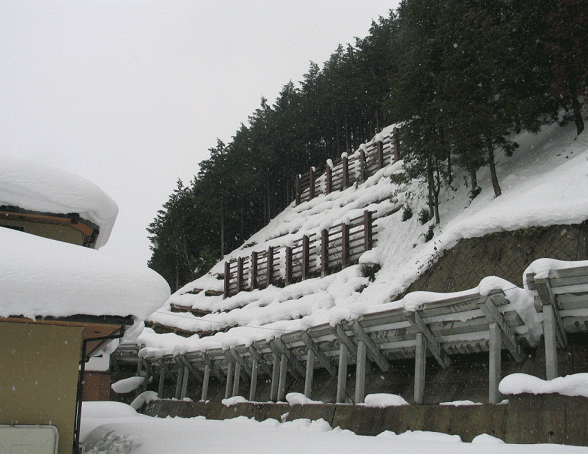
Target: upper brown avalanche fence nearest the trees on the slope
pixel 347 170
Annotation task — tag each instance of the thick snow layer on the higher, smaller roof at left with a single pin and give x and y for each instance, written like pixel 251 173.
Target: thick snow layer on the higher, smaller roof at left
pixel 37 187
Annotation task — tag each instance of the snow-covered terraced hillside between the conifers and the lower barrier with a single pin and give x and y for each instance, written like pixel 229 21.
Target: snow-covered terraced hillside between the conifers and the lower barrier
pixel 544 183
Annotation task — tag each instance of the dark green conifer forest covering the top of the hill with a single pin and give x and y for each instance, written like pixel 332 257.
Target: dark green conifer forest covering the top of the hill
pixel 460 78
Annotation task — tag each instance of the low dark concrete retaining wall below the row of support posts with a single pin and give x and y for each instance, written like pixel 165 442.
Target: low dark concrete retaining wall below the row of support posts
pixel 525 419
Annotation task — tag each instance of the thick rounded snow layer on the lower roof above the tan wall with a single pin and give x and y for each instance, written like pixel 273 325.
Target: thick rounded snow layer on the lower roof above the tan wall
pixel 41 277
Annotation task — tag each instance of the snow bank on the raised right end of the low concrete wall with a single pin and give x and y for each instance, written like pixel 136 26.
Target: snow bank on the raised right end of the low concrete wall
pixel 571 385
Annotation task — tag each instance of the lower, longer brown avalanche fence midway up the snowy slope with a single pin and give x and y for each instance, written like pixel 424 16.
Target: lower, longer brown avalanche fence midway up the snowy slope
pixel 312 255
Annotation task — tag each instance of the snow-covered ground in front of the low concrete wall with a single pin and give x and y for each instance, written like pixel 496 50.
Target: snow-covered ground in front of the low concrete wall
pixel 118 429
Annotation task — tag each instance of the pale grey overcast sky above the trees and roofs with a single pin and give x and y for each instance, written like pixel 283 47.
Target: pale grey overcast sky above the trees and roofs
pixel 132 94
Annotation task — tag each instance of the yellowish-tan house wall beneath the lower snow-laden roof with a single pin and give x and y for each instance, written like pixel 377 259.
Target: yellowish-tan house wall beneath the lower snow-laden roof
pixel 38 383
